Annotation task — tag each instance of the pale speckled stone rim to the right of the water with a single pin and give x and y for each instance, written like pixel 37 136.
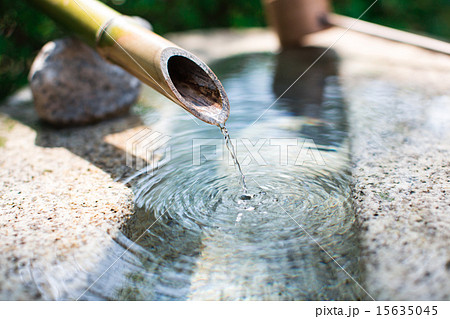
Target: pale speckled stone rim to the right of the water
pixel 398 99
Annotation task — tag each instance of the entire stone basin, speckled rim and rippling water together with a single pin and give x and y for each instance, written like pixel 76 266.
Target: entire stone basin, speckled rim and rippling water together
pixel 376 112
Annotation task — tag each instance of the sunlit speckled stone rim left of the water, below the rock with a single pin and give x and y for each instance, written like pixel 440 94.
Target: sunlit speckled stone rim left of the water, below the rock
pixel 60 206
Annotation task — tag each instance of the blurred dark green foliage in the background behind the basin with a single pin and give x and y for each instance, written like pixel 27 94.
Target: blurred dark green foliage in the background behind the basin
pixel 23 30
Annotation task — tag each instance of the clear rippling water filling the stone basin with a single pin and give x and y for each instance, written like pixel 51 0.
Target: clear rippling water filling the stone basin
pixel 205 240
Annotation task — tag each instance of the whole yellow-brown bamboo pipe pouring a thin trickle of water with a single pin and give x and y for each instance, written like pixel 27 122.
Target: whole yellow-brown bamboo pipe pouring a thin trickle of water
pixel 157 62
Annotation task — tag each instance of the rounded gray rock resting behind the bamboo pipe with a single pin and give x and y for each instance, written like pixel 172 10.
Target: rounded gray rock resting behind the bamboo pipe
pixel 73 85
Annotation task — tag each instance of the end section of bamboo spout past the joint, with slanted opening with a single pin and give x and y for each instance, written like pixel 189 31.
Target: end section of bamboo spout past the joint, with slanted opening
pixel 169 69
